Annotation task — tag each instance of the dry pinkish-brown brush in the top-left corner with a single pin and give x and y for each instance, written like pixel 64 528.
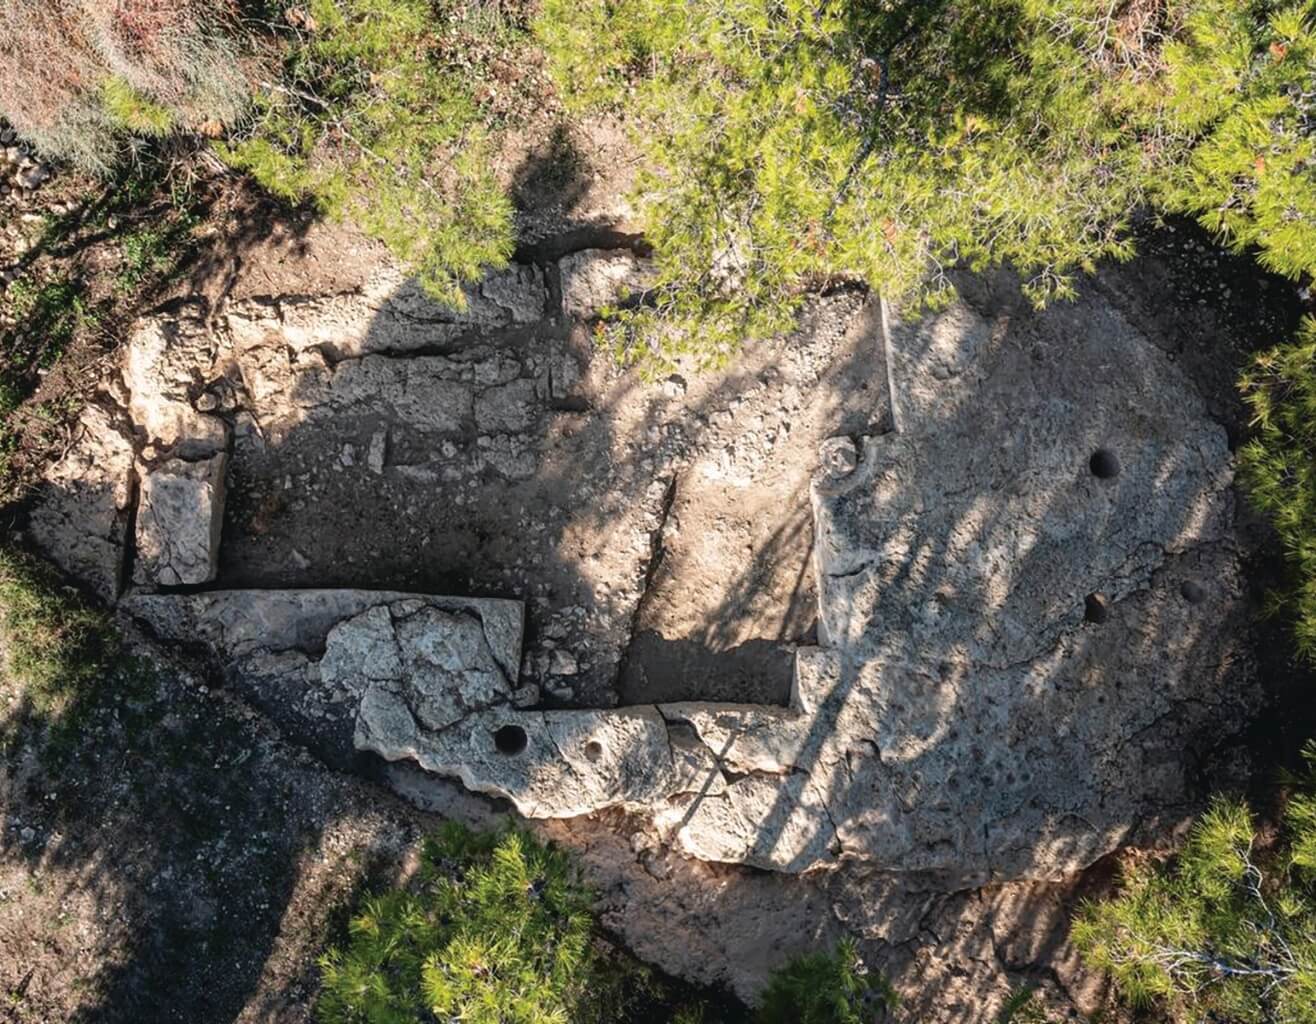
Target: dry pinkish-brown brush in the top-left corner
pixel 57 56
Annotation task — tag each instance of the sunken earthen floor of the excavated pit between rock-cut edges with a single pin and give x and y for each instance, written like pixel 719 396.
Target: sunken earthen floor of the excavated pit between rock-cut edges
pixel 659 532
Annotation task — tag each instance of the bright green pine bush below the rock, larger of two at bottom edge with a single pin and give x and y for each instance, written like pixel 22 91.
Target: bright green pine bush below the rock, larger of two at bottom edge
pixel 495 930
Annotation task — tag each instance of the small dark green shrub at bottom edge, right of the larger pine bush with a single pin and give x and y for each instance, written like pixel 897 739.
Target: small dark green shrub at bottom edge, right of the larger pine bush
pixel 826 989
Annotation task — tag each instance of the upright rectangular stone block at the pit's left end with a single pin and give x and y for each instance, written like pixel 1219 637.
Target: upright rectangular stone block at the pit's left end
pixel 180 519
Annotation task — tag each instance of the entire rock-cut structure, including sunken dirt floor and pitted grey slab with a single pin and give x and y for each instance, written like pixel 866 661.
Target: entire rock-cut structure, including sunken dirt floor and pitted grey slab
pixel 968 715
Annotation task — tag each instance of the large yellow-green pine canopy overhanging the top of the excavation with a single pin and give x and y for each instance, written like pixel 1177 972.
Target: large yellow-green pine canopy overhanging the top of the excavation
pixel 794 144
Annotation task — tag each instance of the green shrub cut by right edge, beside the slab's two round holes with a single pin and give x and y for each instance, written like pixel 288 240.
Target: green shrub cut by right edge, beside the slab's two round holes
pixel 1278 465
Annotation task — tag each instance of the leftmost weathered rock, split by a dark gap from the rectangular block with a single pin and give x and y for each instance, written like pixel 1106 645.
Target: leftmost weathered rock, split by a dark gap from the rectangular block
pixel 81 517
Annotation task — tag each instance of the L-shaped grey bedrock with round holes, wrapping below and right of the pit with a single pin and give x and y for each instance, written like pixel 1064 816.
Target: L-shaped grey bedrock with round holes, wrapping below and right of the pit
pixel 1030 606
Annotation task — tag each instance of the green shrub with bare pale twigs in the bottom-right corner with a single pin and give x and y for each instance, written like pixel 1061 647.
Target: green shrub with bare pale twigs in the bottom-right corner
pixel 1228 933
